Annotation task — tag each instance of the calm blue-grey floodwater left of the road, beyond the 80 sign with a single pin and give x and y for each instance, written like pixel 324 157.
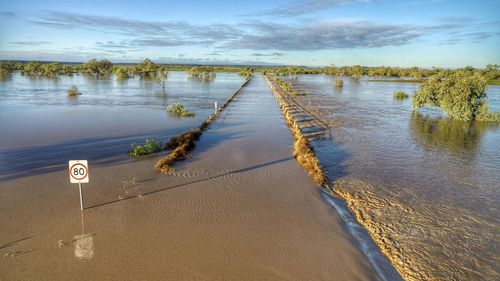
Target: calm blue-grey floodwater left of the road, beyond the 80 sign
pixel 38 118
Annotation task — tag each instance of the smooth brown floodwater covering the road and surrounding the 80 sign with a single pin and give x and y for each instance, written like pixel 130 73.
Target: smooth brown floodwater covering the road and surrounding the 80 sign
pixel 240 209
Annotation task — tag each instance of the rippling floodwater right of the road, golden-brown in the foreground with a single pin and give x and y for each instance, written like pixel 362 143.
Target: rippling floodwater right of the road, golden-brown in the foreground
pixel 426 188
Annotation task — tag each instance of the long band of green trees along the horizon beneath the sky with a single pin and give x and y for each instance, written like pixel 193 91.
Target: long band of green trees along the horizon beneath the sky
pixel 148 69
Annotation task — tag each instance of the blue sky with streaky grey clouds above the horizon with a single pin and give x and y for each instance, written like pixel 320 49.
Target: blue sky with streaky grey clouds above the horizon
pixel 405 33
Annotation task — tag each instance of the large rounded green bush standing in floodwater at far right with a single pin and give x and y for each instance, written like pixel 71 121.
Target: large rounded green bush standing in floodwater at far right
pixel 461 95
